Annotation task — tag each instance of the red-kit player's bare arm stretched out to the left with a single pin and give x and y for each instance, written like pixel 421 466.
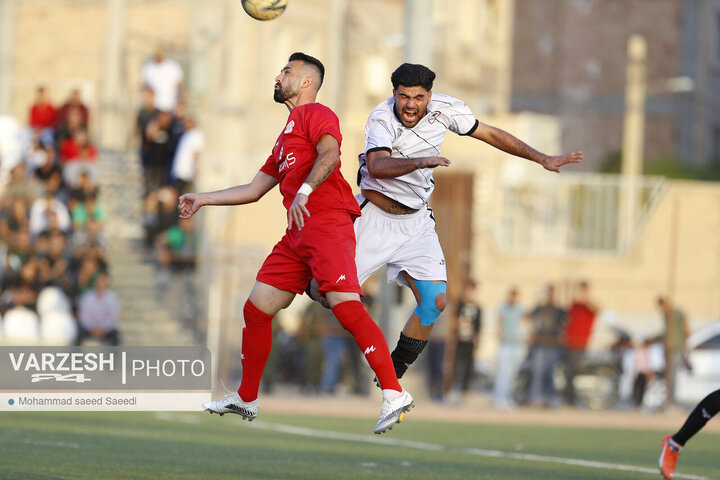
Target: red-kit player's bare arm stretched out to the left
pixel 190 203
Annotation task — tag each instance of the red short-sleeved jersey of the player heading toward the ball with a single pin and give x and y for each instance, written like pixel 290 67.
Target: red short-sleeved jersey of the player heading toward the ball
pixel 295 153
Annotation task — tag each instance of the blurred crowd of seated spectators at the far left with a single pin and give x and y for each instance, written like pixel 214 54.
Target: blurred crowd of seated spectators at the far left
pixel 53 264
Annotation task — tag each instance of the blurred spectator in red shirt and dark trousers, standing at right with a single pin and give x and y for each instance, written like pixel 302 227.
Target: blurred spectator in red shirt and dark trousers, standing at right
pixel 581 318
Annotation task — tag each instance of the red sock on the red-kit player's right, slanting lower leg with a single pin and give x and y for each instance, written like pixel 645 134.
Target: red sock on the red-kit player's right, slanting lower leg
pixel 368 336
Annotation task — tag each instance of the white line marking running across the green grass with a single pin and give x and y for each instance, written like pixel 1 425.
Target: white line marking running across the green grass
pixel 355 437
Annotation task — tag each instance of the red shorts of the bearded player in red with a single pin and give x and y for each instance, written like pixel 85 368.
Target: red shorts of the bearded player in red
pixel 323 249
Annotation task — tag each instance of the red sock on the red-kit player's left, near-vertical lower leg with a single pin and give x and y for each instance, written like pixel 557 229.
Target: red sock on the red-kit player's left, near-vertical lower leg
pixel 256 344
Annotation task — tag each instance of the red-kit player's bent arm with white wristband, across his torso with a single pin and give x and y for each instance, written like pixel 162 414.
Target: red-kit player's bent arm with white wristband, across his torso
pixel 327 161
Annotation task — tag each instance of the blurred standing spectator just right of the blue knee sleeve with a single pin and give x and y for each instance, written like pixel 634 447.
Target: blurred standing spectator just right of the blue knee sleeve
pixel 469 324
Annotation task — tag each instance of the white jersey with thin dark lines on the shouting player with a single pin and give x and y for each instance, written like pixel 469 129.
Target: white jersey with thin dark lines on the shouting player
pixel 383 131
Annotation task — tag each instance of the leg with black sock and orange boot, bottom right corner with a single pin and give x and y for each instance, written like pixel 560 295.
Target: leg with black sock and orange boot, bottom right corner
pixel 673 444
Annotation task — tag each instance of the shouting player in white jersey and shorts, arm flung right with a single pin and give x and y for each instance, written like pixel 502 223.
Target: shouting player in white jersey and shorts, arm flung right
pixel 403 136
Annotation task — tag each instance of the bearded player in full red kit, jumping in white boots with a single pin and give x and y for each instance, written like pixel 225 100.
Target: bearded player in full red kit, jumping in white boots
pixel 319 241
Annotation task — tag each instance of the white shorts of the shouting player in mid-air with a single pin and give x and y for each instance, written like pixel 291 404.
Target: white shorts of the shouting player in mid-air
pixel 402 242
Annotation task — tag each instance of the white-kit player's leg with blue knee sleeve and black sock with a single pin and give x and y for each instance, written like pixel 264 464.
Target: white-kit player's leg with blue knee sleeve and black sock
pixel 416 332
